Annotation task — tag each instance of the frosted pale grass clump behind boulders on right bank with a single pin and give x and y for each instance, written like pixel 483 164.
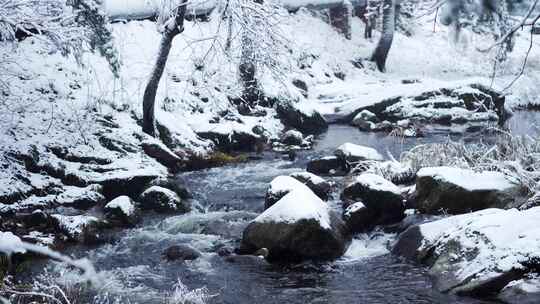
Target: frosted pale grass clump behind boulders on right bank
pixel 518 157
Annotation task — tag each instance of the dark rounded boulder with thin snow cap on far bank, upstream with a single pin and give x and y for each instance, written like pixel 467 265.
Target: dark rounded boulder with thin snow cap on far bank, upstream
pixel 301 117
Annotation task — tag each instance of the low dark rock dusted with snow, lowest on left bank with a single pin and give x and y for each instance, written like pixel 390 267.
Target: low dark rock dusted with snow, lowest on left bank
pixel 79 228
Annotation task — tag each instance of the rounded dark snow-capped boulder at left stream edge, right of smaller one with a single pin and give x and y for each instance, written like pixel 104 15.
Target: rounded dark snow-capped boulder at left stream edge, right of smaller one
pixel 163 200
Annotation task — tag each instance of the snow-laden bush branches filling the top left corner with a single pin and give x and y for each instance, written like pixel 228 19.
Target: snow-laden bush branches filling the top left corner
pixel 71 27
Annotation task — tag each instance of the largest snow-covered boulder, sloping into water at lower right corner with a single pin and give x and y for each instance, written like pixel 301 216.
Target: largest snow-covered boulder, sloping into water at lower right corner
pixel 477 253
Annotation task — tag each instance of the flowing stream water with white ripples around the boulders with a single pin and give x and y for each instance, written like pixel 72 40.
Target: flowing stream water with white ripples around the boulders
pixel 132 269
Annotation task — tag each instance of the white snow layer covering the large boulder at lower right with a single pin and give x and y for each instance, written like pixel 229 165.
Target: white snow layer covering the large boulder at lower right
pixel 502 239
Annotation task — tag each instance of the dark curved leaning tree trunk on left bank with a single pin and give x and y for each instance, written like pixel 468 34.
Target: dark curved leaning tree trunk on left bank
pixel 149 98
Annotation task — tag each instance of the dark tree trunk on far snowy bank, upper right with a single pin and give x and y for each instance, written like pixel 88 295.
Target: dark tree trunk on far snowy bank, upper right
pixel 387 35
